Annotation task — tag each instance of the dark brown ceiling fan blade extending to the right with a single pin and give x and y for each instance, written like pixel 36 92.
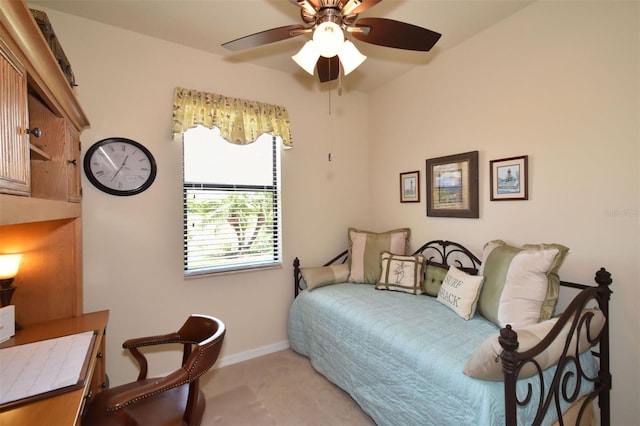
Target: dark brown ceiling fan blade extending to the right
pixel 396 34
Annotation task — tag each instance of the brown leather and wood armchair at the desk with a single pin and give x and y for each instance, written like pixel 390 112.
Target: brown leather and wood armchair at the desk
pixel 174 399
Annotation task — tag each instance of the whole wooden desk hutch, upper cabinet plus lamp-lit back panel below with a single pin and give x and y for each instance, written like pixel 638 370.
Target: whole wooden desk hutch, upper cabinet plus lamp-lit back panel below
pixel 40 193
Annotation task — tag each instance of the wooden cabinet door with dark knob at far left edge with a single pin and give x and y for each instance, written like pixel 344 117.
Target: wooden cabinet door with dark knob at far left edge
pixel 14 145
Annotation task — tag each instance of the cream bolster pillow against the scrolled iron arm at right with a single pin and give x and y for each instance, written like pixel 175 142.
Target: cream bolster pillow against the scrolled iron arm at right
pixel 484 363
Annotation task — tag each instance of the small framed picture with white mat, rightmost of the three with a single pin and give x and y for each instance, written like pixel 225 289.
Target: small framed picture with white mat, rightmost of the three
pixel 509 179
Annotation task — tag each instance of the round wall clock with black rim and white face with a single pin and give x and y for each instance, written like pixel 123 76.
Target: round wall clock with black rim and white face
pixel 120 166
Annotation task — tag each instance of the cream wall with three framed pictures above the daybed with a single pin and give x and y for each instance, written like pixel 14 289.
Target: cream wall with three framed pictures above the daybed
pixel 558 82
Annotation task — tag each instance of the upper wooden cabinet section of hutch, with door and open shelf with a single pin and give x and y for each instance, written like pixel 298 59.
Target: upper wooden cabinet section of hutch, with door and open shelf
pixel 35 95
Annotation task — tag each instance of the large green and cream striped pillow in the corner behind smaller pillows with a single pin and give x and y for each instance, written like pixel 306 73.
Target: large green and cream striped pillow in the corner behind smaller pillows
pixel 365 249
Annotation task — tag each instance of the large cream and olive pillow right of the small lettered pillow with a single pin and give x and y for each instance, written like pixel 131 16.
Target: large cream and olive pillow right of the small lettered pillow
pixel 521 284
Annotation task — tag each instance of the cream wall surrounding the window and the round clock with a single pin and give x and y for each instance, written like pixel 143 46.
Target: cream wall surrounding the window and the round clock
pixel 133 245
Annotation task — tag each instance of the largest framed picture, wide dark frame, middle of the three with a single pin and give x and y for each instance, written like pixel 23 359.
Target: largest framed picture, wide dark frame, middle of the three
pixel 452 186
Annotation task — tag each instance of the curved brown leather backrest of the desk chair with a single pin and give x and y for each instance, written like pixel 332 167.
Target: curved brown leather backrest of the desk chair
pixel 207 334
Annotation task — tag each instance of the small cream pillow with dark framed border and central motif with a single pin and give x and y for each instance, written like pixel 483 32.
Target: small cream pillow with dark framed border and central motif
pixel 402 273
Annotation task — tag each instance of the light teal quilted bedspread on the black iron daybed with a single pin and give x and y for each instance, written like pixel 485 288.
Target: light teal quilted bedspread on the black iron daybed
pixel 401 356
